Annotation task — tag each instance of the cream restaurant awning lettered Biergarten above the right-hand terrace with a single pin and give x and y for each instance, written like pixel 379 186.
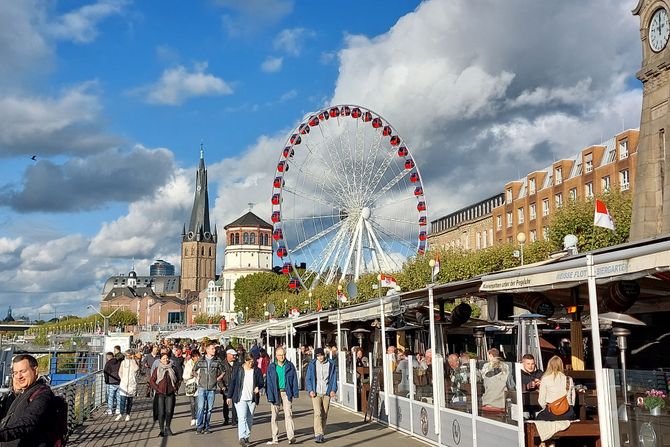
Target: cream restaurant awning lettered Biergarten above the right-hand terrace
pixel 631 261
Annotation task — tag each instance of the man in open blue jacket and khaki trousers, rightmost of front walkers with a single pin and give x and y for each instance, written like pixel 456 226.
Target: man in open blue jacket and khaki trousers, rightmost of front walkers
pixel 321 384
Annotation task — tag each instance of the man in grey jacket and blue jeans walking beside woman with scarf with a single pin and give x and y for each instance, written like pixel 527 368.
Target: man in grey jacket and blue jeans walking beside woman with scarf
pixel 210 372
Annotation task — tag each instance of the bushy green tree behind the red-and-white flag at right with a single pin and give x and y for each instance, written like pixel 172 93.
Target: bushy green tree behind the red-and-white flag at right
pixel 576 218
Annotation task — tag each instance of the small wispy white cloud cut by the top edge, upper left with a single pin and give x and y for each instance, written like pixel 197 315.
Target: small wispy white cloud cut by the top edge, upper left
pixel 80 25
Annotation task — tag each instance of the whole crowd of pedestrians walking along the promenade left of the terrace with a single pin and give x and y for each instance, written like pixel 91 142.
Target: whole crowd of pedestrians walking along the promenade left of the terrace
pixel 203 371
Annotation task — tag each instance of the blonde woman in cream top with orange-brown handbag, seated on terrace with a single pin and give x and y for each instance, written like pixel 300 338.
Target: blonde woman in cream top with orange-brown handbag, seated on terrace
pixel 557 393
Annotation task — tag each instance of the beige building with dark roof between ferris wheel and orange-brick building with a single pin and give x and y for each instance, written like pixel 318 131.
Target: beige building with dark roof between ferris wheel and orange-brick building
pixel 470 228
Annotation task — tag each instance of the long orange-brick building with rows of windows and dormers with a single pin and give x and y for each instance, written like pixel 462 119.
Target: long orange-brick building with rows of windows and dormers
pixel 529 202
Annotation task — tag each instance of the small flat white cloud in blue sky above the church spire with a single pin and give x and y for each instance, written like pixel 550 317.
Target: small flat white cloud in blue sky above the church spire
pixel 178 84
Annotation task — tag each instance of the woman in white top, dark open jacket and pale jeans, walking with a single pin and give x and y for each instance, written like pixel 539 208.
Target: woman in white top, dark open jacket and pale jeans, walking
pixel 244 391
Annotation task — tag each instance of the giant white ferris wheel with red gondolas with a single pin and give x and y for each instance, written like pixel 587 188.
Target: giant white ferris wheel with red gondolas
pixel 347 198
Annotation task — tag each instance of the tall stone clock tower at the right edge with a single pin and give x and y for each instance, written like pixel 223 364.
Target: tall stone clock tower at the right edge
pixel 651 199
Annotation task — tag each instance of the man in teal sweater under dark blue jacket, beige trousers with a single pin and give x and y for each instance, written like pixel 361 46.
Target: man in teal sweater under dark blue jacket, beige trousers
pixel 281 389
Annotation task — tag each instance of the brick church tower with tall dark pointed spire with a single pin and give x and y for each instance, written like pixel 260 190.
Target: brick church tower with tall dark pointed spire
pixel 198 246
